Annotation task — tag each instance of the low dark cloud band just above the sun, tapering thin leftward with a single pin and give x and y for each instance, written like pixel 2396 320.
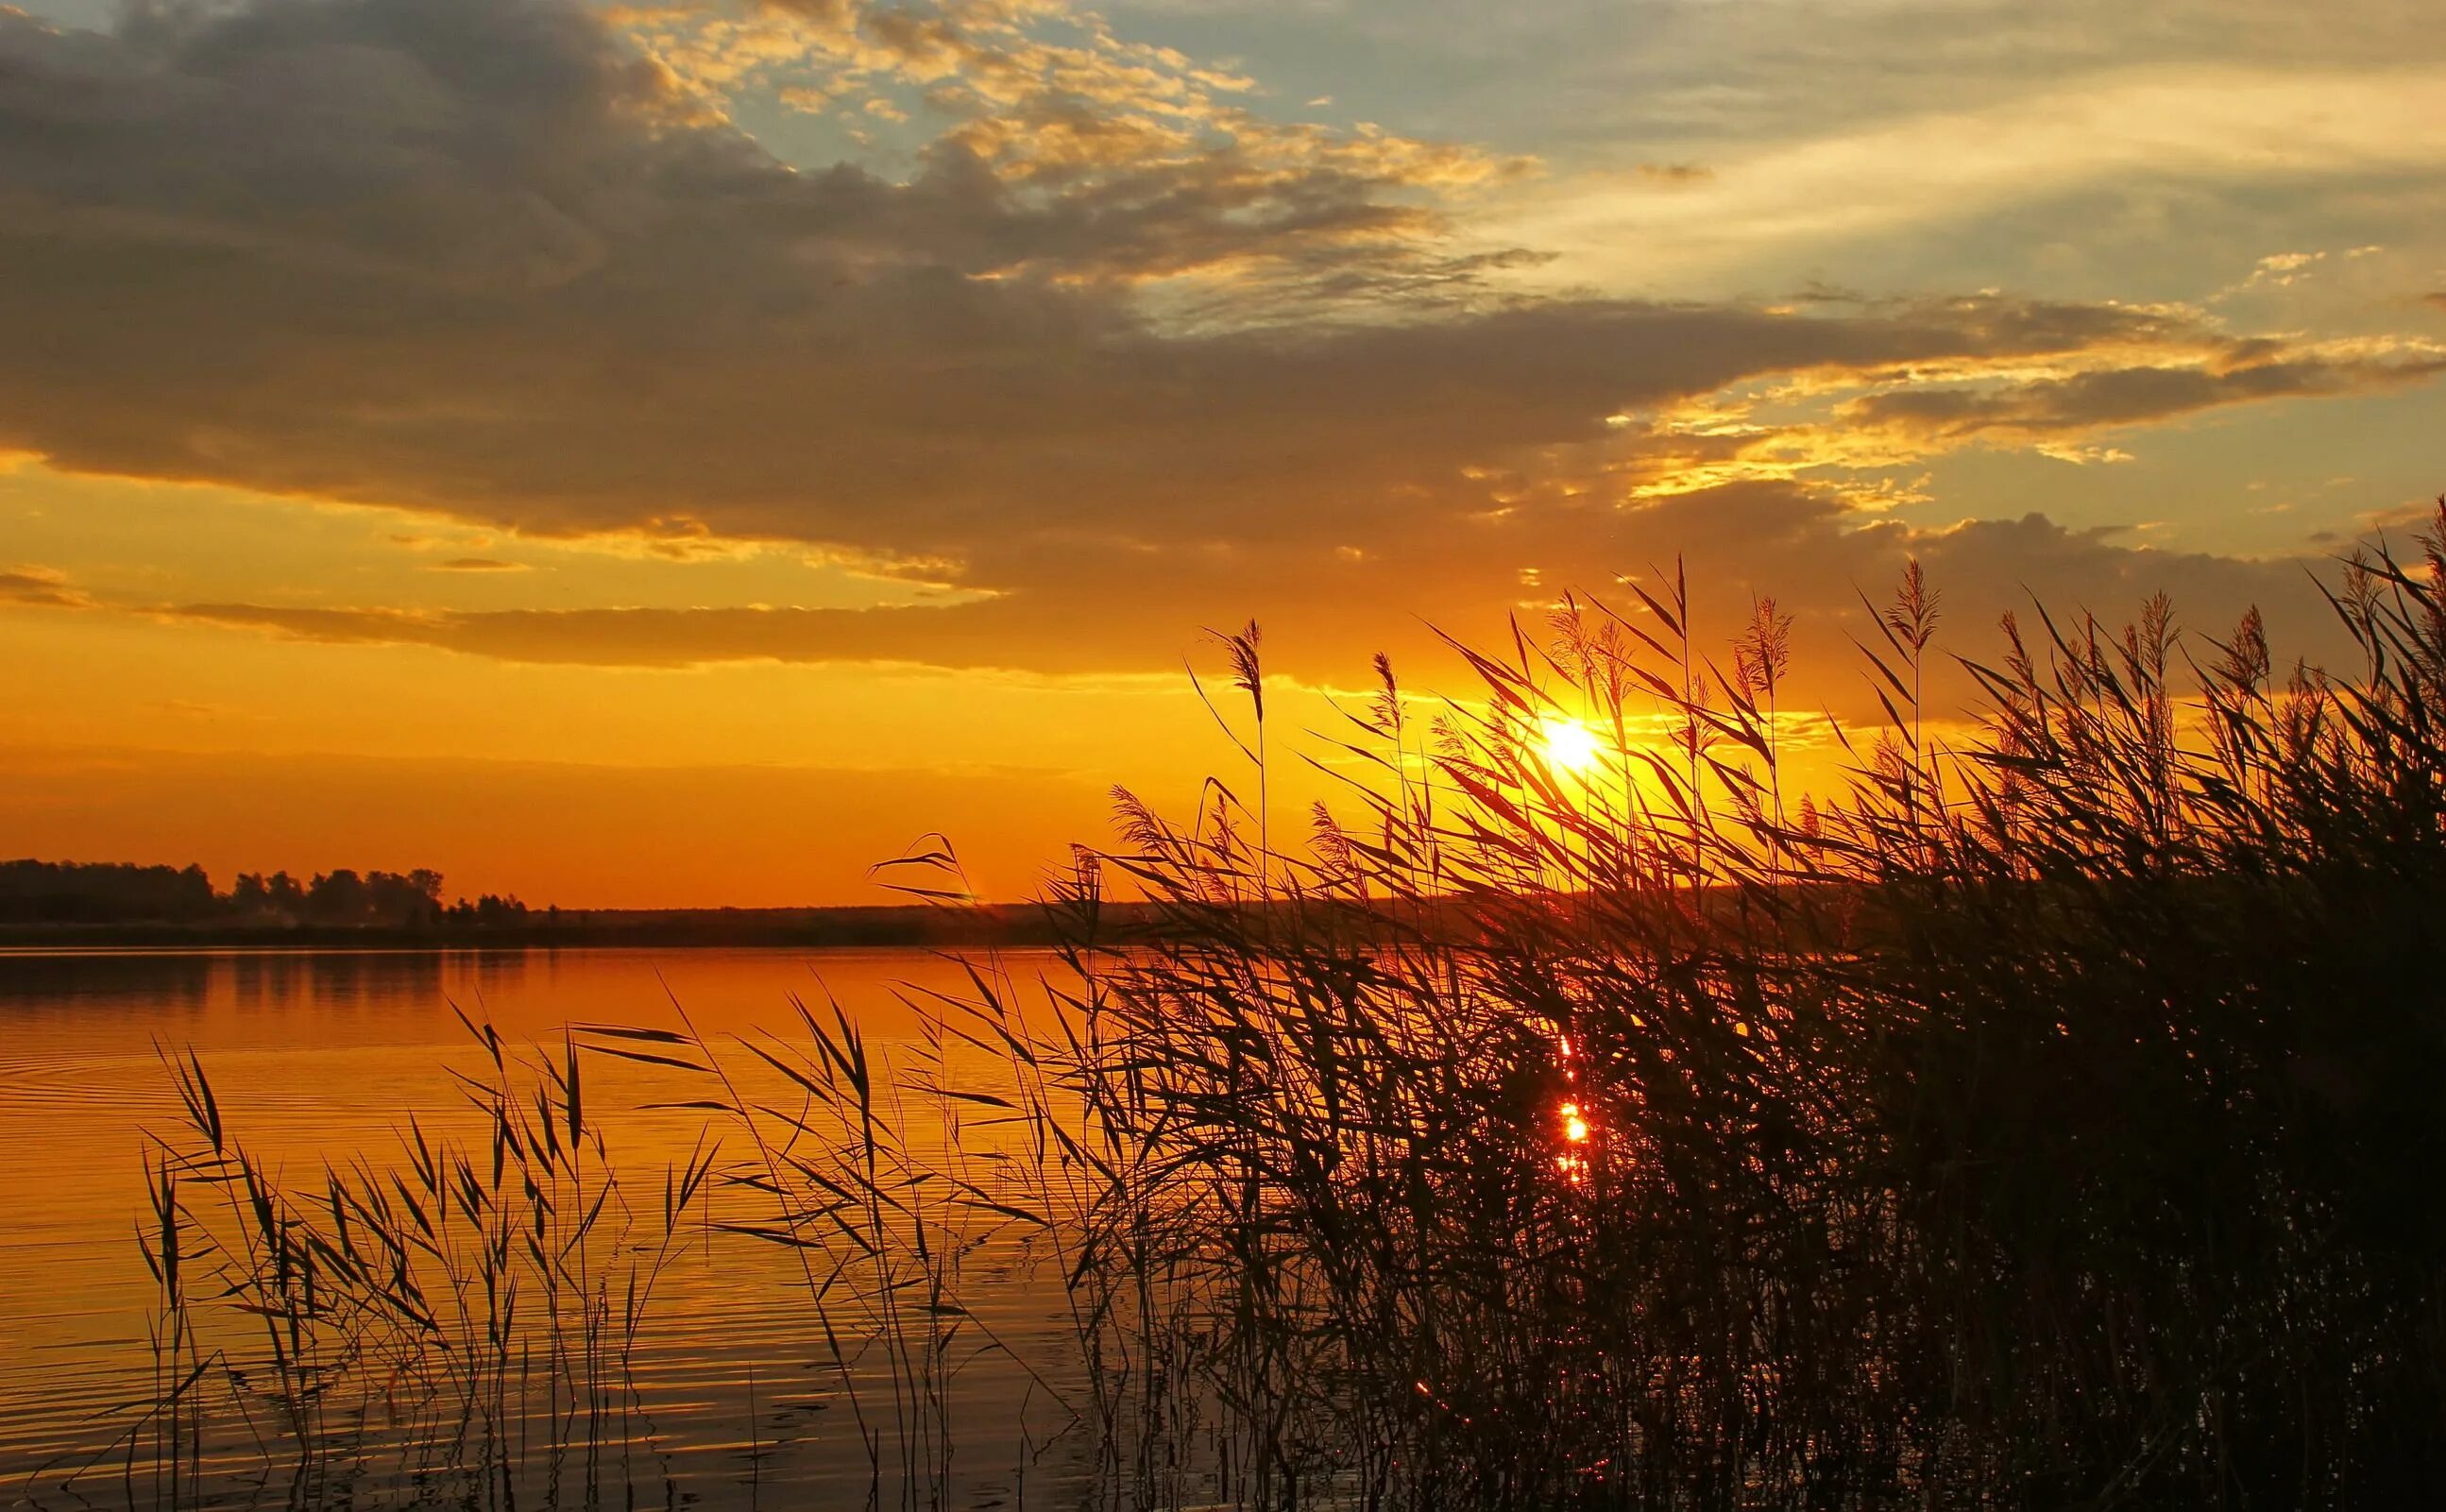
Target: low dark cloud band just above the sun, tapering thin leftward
pixel 1322 615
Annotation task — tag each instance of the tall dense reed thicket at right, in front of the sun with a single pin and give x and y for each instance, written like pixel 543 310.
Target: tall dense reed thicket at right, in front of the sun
pixel 2039 1122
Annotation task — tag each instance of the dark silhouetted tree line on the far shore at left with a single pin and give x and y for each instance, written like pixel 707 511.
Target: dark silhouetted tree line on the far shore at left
pixel 128 894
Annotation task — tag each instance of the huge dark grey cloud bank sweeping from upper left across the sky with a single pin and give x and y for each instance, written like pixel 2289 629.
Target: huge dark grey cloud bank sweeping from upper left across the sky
pixel 488 261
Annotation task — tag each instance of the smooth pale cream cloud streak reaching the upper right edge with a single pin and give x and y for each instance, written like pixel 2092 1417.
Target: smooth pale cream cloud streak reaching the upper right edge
pixel 1929 155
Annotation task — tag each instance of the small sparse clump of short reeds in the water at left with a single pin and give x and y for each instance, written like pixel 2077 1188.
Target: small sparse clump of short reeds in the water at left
pixel 471 1308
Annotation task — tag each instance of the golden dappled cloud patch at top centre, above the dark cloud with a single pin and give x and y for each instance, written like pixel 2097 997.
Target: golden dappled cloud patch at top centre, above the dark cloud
pixel 1134 160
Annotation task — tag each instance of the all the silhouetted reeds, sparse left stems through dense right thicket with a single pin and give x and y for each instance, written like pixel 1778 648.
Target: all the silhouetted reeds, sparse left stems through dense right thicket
pixel 2041 1119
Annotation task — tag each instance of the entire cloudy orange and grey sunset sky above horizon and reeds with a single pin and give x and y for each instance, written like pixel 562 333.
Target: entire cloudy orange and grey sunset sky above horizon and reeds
pixel 684 454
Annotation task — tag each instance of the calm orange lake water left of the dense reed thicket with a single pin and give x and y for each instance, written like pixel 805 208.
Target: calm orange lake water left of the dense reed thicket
pixel 322 1058
